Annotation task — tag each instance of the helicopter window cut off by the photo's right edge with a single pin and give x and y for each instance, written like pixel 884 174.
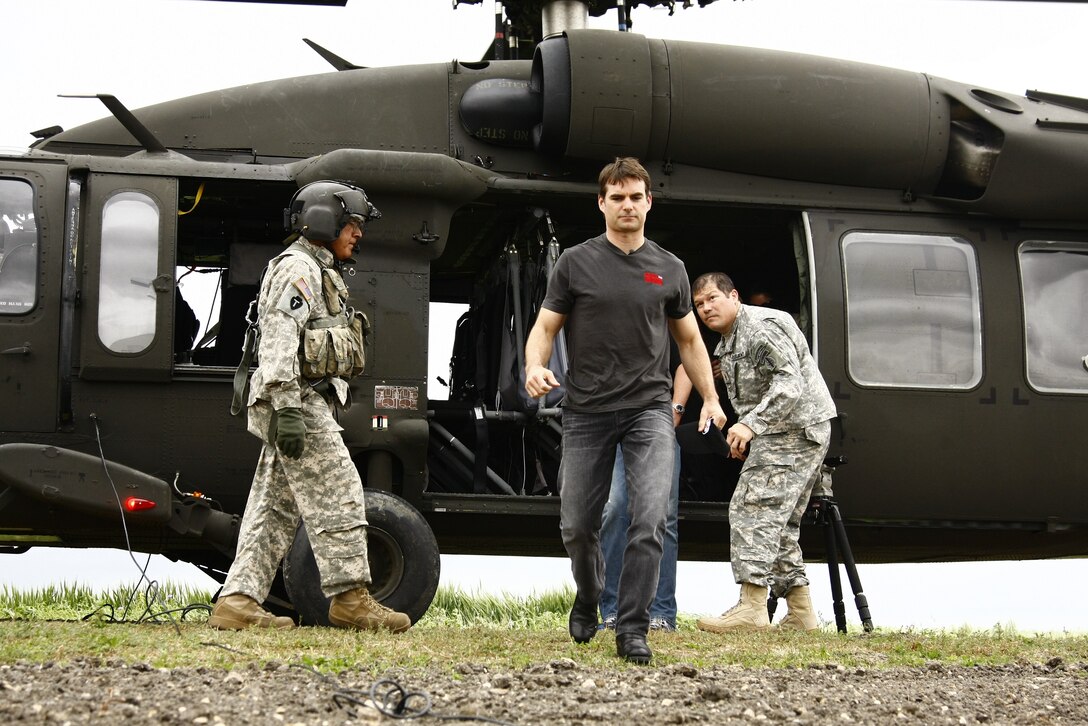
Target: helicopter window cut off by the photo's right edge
pixel 1055 279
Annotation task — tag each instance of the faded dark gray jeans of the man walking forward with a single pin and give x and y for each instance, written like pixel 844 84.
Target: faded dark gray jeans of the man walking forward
pixel 589 457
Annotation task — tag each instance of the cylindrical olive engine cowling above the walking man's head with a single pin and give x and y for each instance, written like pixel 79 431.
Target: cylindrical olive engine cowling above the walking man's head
pixel 739 109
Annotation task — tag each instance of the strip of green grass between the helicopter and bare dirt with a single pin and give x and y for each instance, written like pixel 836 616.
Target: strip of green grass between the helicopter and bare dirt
pixel 498 632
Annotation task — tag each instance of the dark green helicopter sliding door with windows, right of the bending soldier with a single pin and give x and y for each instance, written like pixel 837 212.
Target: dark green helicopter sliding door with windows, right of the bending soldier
pixel 922 341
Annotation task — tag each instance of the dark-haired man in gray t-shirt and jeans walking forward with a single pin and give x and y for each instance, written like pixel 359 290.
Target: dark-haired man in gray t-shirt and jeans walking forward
pixel 620 297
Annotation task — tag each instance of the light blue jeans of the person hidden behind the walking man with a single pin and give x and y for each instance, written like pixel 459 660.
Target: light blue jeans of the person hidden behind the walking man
pixel 613 535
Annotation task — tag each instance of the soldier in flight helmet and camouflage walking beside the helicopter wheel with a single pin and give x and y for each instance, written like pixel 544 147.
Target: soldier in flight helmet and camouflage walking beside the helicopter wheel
pixel 305 471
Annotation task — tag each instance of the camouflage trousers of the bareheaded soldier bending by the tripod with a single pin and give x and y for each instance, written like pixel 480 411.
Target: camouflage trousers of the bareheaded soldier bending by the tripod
pixel 765 511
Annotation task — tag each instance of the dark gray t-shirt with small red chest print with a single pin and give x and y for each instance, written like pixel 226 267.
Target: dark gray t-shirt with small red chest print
pixel 617 310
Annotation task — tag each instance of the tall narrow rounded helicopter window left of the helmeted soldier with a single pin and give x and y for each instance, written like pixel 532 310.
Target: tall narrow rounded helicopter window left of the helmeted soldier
pixel 130 261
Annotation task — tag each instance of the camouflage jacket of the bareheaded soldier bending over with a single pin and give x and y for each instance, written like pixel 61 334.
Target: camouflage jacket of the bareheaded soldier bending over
pixel 771 376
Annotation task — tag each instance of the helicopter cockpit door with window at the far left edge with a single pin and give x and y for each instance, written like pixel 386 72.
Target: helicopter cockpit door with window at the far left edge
pixel 32 253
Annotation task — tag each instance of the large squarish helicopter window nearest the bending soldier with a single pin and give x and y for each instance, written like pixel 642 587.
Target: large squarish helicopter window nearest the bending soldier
pixel 913 313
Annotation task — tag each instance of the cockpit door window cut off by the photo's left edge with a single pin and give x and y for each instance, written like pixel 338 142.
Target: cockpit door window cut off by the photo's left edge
pixel 19 248
